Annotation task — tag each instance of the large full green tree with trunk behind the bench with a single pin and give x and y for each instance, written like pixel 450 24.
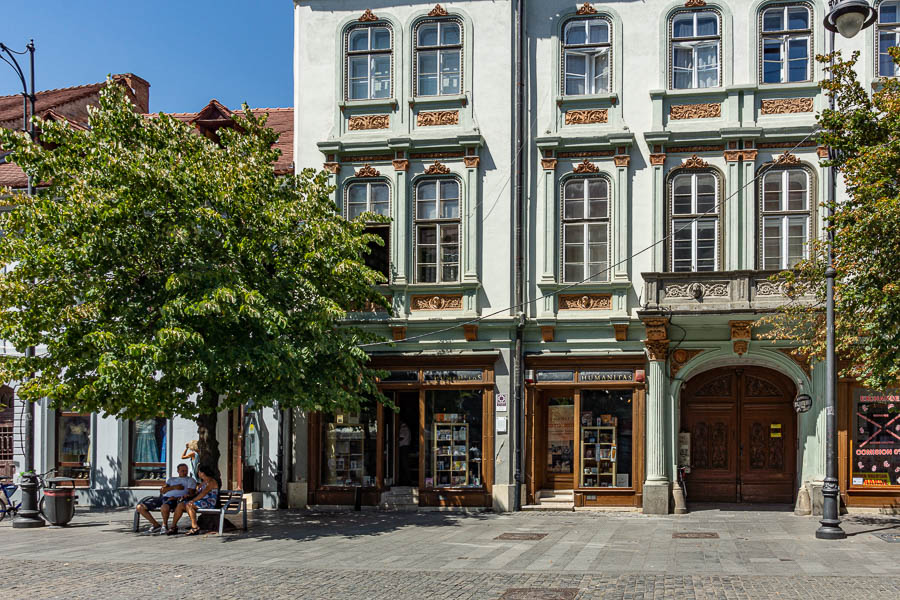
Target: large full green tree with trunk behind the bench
pixel 160 273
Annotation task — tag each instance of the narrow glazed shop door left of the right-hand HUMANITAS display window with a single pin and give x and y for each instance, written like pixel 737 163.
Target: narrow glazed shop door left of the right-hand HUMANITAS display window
pixel 559 440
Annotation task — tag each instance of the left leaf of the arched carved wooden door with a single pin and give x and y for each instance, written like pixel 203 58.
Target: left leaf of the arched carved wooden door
pixel 710 415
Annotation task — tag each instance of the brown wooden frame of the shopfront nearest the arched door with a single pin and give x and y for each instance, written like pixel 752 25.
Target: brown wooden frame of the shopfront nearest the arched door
pixel 535 432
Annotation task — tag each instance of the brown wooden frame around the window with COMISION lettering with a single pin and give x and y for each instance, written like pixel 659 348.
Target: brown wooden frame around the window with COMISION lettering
pixel 856 495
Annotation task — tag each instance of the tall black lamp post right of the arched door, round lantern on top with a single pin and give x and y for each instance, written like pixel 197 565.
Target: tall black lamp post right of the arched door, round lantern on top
pixel 846 17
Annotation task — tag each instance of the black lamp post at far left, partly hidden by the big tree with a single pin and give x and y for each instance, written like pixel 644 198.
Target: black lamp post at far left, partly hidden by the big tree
pixel 28 515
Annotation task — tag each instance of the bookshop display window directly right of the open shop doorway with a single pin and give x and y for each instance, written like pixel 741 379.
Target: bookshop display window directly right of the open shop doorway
pixel 453 437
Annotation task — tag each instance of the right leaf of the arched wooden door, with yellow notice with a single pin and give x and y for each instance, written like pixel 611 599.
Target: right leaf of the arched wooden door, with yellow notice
pixel 768 437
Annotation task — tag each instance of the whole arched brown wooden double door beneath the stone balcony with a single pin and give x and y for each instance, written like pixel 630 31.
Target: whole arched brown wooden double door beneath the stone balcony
pixel 743 435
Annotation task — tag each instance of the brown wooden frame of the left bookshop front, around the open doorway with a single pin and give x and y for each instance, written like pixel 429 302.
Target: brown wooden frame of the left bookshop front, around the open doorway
pixel 444 496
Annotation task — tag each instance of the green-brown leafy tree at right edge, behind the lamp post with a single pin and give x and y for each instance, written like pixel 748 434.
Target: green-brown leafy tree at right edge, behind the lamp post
pixel 863 132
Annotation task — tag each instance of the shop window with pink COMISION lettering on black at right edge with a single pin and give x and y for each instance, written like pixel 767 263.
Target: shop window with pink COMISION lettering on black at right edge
pixel 876 438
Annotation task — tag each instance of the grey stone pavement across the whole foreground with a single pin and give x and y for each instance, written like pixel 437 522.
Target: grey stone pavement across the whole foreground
pixel 758 554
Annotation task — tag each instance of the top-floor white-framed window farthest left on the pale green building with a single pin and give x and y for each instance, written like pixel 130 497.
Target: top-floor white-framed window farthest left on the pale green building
pixel 369 56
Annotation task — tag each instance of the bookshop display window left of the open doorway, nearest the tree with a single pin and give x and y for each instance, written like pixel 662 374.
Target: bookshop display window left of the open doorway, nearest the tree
pixel 348 449
